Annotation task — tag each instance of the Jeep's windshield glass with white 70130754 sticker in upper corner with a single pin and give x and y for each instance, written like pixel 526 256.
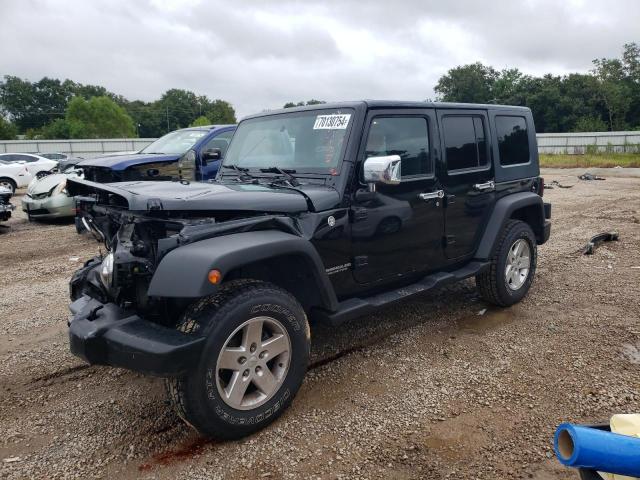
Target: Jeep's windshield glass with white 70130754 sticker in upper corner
pixel 310 141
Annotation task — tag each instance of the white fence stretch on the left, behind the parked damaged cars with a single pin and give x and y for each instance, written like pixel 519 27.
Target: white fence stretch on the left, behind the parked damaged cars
pixel 76 148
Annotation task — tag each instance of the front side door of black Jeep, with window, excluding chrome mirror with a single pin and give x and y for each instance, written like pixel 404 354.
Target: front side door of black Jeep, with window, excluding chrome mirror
pixel 397 230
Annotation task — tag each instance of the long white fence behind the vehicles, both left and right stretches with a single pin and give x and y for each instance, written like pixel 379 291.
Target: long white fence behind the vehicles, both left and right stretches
pixel 567 143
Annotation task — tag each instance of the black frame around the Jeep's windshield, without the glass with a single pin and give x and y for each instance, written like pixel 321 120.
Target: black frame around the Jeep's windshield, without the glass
pixel 309 171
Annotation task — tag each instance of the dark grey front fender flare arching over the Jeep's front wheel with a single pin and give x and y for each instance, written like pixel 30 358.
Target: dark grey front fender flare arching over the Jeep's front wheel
pixel 183 272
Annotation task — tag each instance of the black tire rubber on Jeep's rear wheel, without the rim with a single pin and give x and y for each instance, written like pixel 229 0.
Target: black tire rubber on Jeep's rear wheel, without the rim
pixel 491 283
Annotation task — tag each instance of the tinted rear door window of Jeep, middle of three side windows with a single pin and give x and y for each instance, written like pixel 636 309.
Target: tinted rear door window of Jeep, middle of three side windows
pixel 465 142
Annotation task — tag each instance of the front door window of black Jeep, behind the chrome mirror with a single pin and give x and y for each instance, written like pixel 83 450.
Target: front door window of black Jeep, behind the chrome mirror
pixel 404 136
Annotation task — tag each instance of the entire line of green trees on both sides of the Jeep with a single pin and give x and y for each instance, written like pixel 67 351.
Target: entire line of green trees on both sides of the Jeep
pixel 605 98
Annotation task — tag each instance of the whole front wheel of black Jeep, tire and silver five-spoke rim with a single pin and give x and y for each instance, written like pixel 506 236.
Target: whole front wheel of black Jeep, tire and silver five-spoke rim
pixel 252 364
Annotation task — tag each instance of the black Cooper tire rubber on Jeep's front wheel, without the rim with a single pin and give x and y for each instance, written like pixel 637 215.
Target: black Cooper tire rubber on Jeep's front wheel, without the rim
pixel 195 396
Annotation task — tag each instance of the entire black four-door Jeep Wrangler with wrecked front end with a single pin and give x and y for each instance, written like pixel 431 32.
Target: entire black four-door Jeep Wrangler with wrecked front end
pixel 319 213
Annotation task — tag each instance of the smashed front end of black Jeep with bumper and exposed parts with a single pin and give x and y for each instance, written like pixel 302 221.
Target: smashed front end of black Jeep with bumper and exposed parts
pixel 114 319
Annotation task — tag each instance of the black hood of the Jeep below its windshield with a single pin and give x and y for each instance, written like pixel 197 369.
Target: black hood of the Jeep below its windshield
pixel 176 196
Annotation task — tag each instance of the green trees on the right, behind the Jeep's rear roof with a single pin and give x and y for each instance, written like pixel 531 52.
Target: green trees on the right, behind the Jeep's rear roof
pixel 605 98
